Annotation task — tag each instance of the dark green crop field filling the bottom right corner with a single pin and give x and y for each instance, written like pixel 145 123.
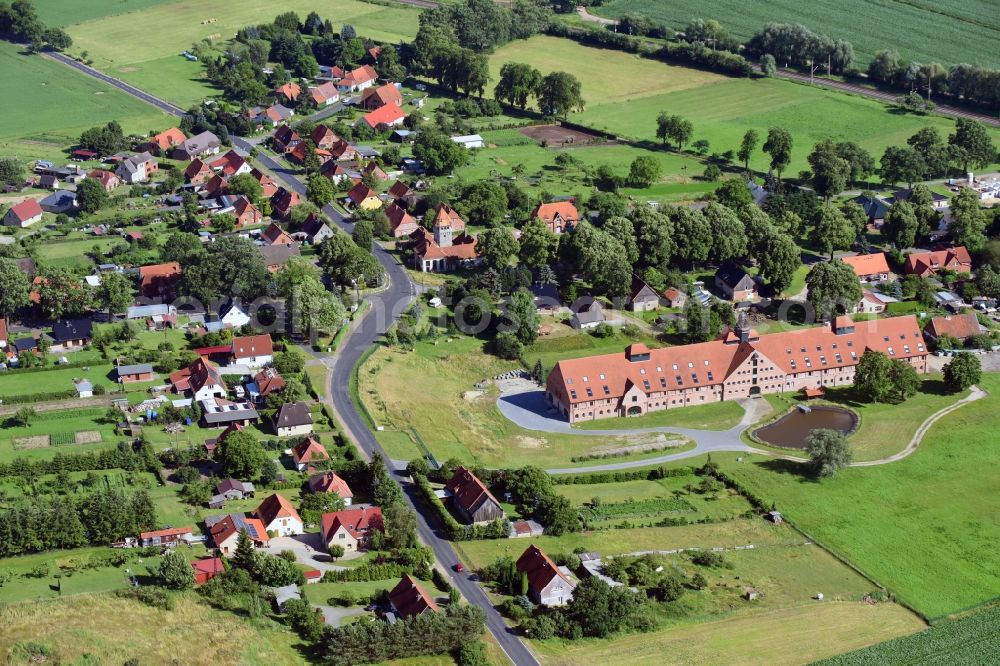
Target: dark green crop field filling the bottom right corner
pixel 966 641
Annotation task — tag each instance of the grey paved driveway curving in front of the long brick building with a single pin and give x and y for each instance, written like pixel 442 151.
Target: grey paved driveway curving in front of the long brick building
pixel 529 410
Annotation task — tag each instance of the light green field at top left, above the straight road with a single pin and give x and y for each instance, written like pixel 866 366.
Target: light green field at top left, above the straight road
pixel 151 59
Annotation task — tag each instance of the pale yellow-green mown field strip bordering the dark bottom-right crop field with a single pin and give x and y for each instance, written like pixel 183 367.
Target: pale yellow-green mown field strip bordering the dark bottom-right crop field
pixel 788 636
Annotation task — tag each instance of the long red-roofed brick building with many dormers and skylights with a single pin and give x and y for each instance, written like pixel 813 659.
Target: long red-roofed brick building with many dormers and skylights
pixel 739 364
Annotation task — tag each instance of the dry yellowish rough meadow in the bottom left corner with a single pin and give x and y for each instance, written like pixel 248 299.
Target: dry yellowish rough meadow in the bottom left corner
pixel 105 629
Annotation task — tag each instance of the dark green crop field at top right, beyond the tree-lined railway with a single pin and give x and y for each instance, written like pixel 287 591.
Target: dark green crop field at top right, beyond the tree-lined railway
pixel 948 31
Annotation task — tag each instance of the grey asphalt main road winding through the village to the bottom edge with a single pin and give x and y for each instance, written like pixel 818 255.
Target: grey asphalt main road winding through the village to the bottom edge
pixel 386 307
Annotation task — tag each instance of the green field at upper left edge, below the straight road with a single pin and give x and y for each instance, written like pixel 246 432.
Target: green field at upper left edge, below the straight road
pixel 54 105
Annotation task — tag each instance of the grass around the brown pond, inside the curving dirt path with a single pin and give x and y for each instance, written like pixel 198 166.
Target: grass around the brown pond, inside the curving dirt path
pixel 885 429
